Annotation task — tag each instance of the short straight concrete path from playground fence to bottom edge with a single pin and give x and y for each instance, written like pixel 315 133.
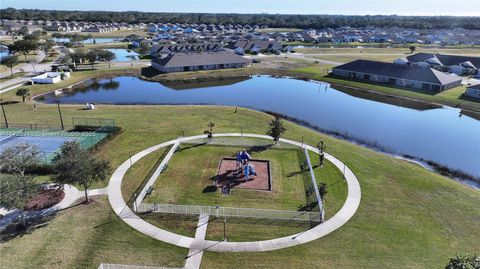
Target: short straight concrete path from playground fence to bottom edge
pixel 195 254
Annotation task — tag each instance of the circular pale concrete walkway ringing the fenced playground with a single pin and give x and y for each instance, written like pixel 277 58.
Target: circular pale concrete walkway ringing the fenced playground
pixel 339 219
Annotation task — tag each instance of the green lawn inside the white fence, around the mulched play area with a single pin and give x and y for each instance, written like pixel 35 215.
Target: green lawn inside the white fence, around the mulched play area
pixel 192 171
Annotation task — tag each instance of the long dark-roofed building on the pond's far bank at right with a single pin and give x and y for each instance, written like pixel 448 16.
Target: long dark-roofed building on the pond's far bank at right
pixel 408 76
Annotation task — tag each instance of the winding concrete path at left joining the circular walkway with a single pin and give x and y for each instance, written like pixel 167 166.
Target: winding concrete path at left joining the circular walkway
pixel 72 194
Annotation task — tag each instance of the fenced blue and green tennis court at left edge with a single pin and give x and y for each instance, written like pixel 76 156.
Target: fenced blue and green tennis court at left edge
pixel 48 139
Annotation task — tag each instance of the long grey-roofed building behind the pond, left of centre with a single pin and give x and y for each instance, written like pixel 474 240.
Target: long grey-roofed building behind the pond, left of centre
pixel 180 62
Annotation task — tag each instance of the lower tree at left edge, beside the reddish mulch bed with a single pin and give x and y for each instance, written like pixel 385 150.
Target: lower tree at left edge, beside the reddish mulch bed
pixel 15 192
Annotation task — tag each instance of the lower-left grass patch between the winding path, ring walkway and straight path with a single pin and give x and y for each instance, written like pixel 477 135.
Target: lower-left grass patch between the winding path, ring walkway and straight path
pixel 83 237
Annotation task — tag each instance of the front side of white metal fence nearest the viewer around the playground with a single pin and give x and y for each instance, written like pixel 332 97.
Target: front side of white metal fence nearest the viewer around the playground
pixel 230 212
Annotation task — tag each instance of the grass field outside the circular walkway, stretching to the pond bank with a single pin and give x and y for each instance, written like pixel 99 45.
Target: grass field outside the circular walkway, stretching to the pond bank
pixel 408 217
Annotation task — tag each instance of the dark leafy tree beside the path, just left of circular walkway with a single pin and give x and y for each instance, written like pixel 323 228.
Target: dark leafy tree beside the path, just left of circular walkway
pixel 75 165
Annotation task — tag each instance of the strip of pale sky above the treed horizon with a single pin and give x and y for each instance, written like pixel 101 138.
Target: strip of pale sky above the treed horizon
pixel 344 7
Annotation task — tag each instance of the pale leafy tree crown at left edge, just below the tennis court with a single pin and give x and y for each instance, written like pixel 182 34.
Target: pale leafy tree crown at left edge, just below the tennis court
pixel 18 158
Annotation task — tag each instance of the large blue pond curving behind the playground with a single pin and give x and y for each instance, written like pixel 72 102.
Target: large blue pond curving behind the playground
pixel 442 135
